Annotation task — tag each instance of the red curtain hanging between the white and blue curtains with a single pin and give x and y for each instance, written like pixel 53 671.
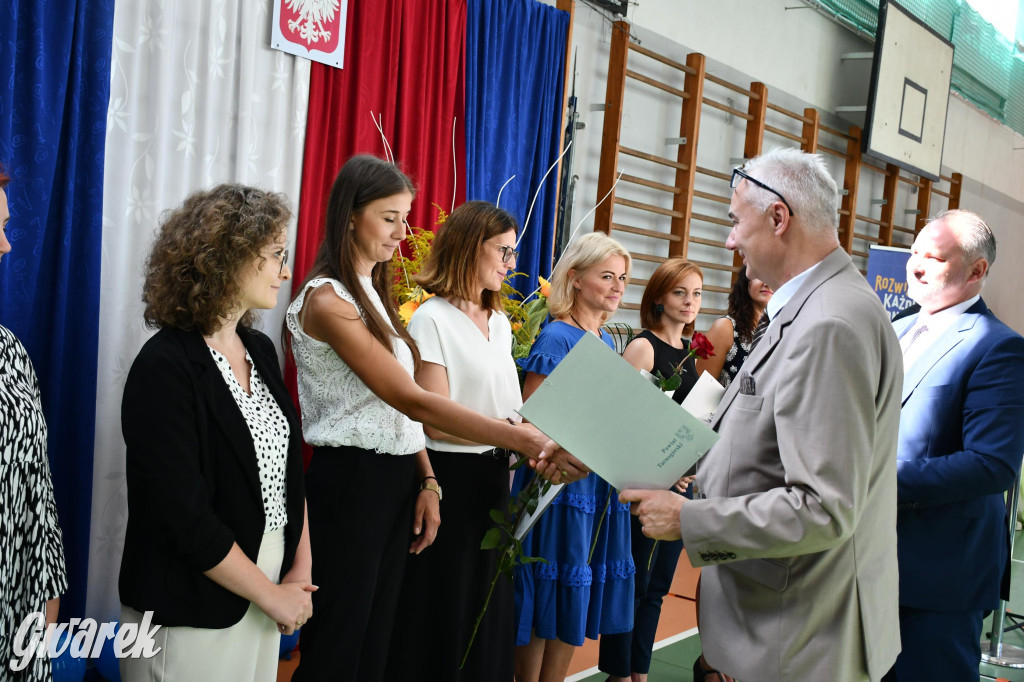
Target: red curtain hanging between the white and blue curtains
pixel 404 62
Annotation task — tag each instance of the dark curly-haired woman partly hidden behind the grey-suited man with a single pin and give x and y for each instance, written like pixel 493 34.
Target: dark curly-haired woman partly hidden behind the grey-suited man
pixel 747 304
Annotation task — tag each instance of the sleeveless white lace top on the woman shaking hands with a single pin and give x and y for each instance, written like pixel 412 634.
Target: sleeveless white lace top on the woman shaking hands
pixel 337 408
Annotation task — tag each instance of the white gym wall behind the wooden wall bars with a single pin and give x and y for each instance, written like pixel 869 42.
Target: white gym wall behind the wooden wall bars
pixel 797 54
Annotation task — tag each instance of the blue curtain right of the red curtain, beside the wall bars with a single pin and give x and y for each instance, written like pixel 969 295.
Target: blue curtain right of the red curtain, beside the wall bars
pixel 516 52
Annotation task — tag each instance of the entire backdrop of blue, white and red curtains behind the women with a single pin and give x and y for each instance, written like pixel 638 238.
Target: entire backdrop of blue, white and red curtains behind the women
pixel 107 119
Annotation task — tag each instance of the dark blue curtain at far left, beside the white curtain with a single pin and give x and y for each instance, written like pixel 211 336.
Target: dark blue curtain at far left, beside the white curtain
pixel 55 87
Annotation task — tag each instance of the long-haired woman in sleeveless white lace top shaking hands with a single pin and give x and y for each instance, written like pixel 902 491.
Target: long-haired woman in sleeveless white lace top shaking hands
pixel 372 491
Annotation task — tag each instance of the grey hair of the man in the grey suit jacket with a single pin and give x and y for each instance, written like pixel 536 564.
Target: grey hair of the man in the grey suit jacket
pixel 803 180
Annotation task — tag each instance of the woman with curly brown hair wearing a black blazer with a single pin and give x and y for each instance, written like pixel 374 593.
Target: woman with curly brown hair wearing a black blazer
pixel 217 546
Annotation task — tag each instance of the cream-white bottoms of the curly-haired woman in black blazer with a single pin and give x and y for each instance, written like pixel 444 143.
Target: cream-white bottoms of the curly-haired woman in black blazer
pixel 247 652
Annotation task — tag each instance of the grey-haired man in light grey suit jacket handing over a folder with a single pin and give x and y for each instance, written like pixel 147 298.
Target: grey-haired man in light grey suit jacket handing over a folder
pixel 795 524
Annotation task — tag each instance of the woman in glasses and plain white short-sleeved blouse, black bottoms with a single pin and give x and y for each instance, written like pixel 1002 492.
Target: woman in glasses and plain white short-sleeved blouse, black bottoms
pixel 465 344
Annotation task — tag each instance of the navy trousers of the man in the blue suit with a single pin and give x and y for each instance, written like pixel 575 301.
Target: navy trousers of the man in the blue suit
pixel 938 646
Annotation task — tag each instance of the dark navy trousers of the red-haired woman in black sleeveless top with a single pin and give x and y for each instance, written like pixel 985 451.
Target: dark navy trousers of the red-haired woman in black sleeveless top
pixel 630 652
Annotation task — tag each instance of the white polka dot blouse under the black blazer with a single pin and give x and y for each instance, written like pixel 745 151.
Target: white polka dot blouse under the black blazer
pixel 270 431
